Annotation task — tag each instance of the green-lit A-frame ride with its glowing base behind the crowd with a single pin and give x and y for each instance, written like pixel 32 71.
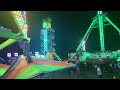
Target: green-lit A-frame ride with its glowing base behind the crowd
pixel 99 21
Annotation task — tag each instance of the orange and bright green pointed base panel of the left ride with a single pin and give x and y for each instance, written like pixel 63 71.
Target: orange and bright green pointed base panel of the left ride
pixel 21 69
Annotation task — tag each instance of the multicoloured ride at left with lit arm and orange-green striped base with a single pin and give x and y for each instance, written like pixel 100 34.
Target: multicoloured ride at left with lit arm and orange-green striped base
pixel 25 66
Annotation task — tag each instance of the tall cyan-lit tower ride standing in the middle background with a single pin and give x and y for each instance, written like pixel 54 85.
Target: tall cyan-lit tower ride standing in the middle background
pixel 47 40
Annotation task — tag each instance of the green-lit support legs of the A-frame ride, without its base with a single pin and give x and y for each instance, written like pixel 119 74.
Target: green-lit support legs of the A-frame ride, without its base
pixel 99 20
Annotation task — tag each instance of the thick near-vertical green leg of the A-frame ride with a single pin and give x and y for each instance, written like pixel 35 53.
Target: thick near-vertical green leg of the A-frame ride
pixel 100 20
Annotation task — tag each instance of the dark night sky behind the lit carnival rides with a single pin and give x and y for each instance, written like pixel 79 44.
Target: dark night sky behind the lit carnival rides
pixel 70 27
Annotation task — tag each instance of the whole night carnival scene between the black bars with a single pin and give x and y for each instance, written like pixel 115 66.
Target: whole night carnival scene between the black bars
pixel 59 45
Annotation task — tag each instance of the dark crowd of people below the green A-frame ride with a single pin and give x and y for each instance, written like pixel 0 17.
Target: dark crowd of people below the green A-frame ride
pixel 99 67
